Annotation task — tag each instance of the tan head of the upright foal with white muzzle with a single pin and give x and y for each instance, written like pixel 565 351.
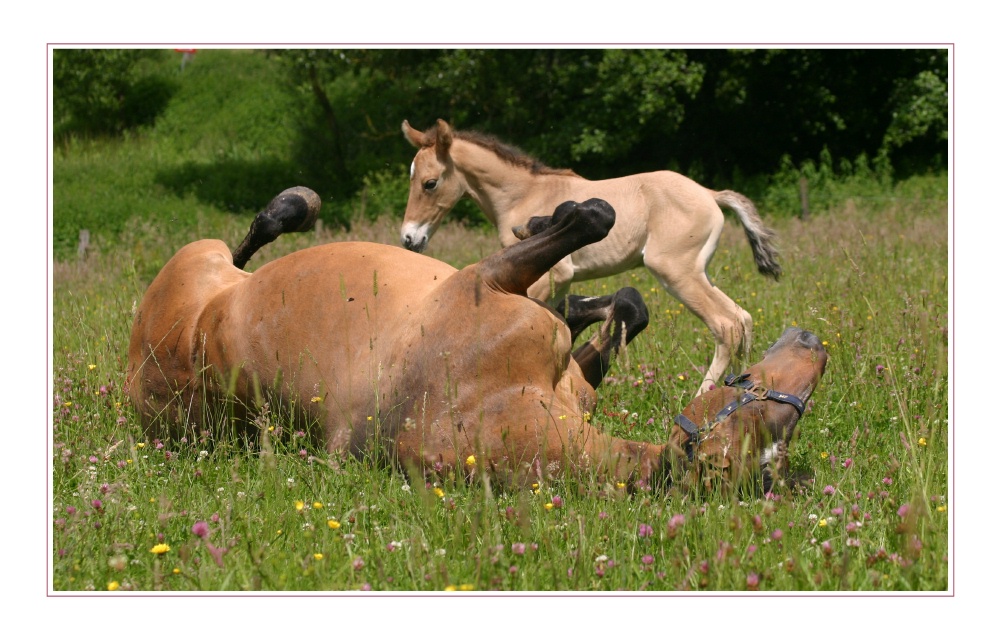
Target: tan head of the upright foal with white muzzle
pixel 435 186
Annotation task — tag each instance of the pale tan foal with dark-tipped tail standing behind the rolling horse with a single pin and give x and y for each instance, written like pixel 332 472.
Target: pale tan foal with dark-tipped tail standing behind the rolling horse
pixel 666 222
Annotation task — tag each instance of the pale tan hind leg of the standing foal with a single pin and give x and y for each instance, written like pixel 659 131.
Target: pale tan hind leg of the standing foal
pixel 730 324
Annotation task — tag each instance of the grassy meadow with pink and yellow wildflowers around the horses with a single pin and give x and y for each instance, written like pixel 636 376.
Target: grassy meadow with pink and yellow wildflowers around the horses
pixel 868 276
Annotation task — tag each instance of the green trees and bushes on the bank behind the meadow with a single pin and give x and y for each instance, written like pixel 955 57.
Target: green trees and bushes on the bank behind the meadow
pixel 138 137
